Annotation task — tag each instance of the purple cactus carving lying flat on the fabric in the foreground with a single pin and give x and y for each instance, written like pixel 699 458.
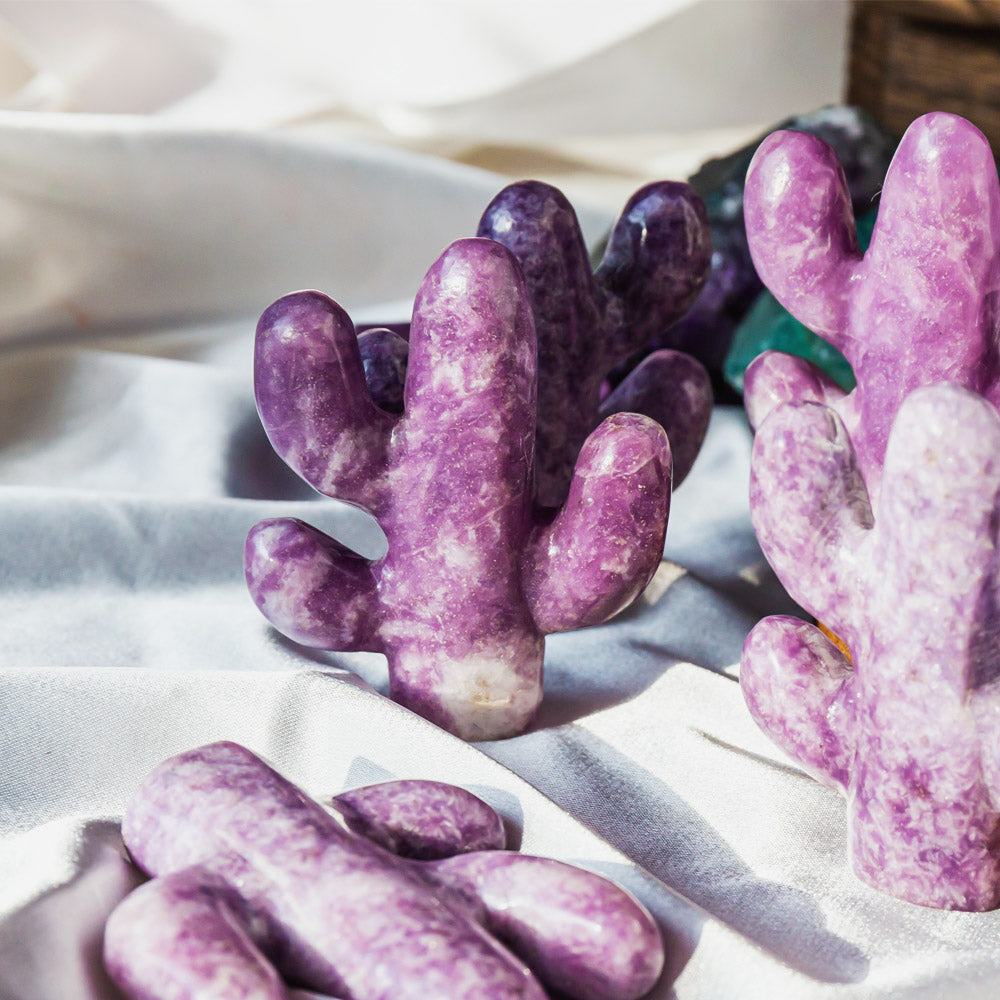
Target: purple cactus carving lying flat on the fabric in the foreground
pixel 254 884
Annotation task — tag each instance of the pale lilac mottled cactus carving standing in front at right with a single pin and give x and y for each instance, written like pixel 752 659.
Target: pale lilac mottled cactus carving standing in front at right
pixel 911 731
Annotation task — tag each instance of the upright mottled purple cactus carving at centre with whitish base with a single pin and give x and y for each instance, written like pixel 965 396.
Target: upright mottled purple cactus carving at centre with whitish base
pixel 475 575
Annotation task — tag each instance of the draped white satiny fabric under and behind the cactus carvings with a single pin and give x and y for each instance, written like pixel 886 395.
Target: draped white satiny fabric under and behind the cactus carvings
pixel 166 170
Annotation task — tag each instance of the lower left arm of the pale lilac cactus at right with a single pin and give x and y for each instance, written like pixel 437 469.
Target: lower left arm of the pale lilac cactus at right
pixel 800 690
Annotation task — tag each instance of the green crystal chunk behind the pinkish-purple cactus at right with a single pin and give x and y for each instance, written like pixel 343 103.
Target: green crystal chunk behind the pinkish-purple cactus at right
pixel 768 326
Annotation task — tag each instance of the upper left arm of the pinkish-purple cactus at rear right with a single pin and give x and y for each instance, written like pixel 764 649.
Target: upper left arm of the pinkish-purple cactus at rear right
pixel 801 231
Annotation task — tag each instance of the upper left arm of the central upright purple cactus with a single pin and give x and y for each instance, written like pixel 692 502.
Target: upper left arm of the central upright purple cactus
pixel 313 400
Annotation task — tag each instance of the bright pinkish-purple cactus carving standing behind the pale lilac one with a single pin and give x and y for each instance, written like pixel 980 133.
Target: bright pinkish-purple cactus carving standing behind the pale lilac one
pixel 919 307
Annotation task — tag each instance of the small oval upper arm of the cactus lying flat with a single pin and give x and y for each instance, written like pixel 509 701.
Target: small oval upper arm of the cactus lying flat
pixel 422 819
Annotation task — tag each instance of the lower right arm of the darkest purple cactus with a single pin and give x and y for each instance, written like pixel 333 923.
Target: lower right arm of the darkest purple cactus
pixel 673 389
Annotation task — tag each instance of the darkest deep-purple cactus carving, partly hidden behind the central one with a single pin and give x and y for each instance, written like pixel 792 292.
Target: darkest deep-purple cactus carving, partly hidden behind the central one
pixel 654 266
